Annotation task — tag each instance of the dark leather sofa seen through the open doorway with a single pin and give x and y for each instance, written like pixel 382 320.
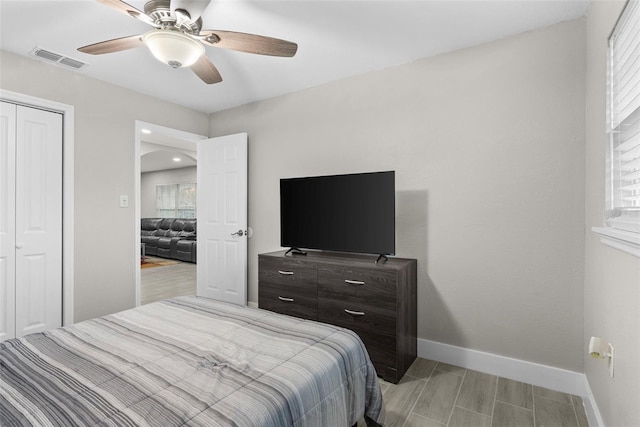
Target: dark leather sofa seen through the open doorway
pixel 173 238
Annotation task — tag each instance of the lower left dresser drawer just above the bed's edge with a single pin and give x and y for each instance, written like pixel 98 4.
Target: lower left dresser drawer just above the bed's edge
pixel 299 301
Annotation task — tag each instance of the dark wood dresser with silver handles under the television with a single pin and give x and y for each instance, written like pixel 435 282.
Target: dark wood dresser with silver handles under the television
pixel 377 301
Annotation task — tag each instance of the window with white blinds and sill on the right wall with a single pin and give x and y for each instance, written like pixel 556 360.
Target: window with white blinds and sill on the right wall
pixel 623 129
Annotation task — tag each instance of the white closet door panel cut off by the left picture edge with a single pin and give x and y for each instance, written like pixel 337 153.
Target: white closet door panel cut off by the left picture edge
pixel 7 220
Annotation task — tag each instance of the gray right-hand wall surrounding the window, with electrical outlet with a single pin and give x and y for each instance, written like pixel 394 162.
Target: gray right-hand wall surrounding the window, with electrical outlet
pixel 612 277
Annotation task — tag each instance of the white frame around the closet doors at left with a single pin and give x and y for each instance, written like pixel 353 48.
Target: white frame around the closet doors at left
pixel 67 112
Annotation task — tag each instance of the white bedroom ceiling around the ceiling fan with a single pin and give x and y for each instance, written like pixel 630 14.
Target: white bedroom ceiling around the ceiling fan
pixel 336 39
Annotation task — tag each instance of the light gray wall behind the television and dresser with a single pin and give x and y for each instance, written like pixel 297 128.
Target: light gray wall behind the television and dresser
pixel 488 148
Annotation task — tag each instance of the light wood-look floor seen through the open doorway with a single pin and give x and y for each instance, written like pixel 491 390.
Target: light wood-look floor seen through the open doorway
pixel 167 281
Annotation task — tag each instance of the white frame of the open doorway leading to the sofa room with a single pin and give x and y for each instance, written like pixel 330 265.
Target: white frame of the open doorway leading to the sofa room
pixel 165 131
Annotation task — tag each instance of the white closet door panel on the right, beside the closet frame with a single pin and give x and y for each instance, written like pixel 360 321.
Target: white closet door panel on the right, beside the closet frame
pixel 38 221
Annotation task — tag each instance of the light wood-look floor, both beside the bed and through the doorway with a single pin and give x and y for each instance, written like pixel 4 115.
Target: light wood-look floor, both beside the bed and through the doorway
pixel 431 394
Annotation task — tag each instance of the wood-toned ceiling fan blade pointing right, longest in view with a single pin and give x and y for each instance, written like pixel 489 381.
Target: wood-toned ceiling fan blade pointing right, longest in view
pixel 250 43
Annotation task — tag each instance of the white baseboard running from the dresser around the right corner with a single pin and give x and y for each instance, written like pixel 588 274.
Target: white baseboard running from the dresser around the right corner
pixel 518 370
